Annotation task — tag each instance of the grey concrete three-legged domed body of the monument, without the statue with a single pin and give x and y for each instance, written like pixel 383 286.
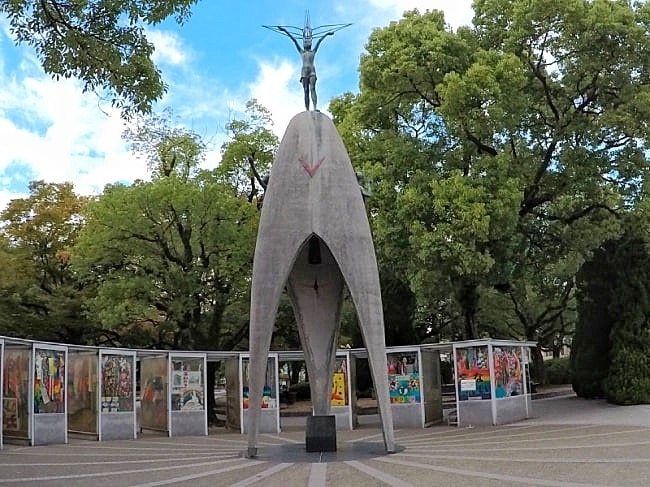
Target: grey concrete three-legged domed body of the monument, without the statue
pixel 313 192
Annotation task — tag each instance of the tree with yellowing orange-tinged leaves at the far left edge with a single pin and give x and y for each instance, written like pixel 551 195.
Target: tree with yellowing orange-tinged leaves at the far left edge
pixel 38 289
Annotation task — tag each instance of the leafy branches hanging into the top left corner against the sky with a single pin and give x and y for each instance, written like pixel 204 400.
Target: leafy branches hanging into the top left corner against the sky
pixel 100 42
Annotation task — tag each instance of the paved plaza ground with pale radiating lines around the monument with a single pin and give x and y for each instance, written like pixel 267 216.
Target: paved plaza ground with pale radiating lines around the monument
pixel 569 442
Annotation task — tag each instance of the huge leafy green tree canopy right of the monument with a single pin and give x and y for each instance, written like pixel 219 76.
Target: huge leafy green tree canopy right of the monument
pixel 502 154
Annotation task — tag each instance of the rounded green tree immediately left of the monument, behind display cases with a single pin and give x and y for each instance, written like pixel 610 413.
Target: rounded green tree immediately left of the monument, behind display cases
pixel 169 256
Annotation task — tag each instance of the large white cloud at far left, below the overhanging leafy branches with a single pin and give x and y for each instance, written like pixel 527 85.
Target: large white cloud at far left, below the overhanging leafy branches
pixel 53 131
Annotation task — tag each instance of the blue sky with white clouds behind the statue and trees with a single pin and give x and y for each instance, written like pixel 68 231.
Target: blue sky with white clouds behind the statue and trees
pixel 220 58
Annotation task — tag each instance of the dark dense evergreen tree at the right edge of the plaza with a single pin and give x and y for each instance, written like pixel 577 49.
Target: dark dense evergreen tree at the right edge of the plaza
pixel 609 356
